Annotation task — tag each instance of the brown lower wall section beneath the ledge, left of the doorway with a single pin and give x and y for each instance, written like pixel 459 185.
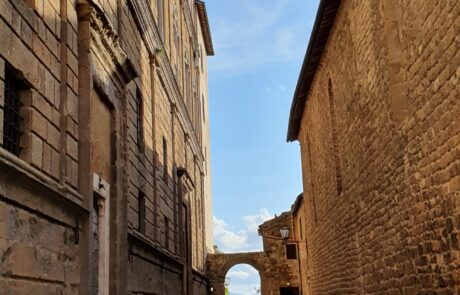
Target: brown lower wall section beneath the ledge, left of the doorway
pixel 38 253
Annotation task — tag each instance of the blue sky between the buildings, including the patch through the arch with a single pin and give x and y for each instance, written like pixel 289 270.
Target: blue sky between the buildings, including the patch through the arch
pixel 259 46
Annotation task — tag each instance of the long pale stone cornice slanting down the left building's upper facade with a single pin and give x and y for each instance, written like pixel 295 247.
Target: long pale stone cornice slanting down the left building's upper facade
pixel 151 36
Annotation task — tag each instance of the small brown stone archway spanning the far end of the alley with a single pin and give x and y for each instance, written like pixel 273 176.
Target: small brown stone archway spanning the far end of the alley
pixel 220 264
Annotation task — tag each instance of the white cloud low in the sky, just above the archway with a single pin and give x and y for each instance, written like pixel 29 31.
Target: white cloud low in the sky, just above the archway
pixel 247 239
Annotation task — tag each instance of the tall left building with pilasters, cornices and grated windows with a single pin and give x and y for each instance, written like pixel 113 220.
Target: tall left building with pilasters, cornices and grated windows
pixel 104 158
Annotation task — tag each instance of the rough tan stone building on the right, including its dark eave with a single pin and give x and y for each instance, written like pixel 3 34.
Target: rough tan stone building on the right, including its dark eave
pixel 376 111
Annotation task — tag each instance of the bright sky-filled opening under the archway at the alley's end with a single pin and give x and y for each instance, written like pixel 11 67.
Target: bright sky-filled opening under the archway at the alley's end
pixel 243 278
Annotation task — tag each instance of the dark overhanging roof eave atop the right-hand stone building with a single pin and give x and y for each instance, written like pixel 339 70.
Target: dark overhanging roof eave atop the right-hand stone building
pixel 324 21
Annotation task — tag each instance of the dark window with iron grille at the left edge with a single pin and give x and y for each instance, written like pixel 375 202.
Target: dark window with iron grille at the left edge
pixel 12 119
